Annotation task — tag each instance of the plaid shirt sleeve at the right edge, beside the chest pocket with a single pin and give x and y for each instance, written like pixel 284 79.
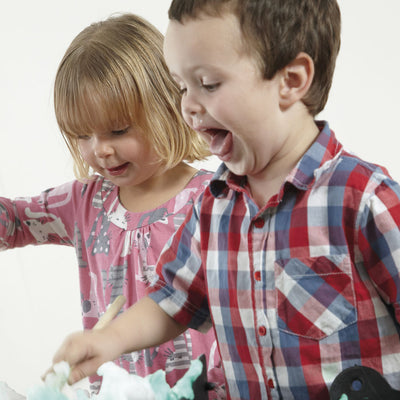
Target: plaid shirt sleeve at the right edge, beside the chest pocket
pixel 379 241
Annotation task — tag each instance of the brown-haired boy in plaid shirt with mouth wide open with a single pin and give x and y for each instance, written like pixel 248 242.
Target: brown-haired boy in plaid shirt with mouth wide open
pixel 292 253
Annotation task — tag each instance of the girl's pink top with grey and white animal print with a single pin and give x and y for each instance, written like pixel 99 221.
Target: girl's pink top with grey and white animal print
pixel 117 251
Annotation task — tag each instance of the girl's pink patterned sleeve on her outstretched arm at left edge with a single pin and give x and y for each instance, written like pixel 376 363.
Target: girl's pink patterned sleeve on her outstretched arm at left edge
pixel 44 219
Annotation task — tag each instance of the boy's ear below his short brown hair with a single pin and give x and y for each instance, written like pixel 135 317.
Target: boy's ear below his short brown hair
pixel 296 79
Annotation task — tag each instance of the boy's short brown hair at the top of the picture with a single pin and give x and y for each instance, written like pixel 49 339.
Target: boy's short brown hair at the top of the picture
pixel 276 31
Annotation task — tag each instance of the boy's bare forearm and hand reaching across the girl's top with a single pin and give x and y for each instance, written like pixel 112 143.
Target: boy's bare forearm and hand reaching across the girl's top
pixel 143 325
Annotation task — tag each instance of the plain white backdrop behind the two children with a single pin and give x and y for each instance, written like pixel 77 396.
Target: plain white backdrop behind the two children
pixel 39 296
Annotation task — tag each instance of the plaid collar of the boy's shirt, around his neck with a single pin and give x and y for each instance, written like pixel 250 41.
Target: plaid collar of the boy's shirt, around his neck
pixel 324 148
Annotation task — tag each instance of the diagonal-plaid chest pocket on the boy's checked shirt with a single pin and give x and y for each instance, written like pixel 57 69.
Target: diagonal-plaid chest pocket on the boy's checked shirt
pixel 314 296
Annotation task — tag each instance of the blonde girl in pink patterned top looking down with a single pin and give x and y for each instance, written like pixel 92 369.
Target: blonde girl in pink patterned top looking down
pixel 118 111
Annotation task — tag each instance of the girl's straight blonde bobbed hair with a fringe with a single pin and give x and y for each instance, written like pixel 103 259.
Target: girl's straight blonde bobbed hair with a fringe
pixel 113 74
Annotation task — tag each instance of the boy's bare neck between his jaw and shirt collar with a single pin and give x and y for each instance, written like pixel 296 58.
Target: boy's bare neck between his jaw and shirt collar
pixel 268 182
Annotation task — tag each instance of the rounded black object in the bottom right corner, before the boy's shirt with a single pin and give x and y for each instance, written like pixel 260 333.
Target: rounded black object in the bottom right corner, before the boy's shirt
pixel 362 383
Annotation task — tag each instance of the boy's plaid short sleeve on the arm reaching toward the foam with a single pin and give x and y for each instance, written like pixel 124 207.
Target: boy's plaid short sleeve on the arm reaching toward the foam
pixel 180 288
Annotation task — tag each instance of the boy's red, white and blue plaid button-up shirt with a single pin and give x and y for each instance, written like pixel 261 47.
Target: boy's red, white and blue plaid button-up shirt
pixel 299 290
